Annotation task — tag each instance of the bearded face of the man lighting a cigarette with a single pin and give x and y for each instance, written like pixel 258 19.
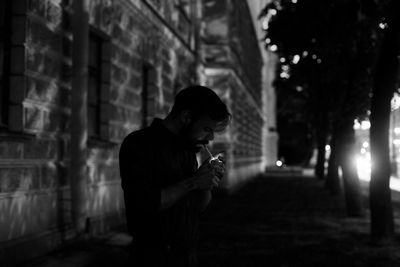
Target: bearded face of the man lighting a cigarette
pixel 199 132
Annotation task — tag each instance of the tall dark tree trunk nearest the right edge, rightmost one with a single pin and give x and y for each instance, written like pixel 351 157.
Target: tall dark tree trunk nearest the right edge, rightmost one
pixel 382 224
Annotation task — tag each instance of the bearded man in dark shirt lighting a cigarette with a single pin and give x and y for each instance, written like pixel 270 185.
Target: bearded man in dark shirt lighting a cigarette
pixel 164 189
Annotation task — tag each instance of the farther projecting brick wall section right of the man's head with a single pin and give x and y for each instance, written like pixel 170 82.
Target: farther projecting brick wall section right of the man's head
pixel 233 66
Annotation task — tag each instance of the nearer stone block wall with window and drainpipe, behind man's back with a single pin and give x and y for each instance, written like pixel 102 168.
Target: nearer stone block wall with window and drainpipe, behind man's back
pixel 139 38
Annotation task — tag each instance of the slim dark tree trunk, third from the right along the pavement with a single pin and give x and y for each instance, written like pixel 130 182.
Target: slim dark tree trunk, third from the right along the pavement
pixel 333 179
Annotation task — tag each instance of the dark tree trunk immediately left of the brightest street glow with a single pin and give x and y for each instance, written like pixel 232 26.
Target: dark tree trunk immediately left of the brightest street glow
pixel 351 182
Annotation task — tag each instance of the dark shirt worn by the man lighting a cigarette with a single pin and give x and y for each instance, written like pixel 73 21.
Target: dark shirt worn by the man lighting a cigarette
pixel 152 159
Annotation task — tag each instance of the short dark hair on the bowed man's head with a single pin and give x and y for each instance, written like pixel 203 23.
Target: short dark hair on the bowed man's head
pixel 201 101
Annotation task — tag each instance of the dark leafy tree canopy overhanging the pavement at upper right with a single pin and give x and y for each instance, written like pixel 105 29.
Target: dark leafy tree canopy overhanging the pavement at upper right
pixel 327 50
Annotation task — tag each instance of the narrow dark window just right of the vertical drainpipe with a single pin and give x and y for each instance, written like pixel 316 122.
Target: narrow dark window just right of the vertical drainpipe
pixel 94 84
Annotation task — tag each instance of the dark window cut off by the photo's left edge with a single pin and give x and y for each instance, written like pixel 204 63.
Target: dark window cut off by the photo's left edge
pixel 5 32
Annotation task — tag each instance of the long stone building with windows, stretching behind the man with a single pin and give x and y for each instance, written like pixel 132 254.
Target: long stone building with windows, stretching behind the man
pixel 139 55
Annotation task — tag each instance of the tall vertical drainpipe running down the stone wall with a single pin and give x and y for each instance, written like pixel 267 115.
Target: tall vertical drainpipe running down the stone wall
pixel 78 173
